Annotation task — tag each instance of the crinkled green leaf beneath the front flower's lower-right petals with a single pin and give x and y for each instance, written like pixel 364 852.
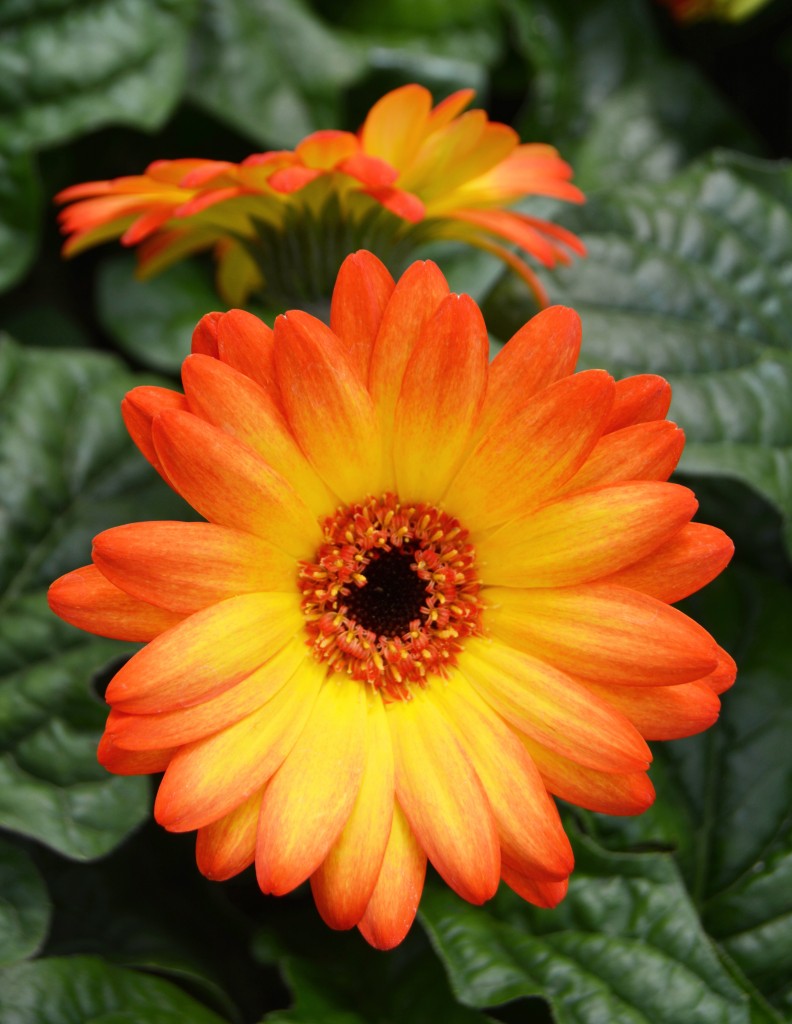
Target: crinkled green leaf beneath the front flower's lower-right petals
pixel 626 947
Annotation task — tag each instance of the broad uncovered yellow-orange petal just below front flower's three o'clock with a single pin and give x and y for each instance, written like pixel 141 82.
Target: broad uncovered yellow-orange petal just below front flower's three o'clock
pixel 606 634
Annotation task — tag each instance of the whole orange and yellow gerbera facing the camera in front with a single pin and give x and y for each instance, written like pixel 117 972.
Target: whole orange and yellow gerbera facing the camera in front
pixel 430 593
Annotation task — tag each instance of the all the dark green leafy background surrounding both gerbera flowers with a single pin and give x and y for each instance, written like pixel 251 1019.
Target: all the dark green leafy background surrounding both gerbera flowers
pixel 680 917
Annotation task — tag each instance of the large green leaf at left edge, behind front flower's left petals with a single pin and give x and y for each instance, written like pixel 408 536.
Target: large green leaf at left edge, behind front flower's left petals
pixel 67 472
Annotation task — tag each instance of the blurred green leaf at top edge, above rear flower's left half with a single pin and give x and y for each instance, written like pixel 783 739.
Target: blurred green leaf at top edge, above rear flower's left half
pixel 271 69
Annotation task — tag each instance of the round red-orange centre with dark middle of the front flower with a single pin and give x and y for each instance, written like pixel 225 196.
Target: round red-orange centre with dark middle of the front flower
pixel 392 594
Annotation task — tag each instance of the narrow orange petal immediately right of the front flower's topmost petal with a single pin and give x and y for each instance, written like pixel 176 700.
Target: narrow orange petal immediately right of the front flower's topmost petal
pixel 416 297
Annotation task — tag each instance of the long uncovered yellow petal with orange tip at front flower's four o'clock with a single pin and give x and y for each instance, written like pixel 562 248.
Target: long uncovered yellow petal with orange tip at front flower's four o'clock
pixel 554 709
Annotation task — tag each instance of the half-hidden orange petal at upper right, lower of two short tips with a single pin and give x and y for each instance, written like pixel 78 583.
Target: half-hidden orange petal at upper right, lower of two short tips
pixel 645 452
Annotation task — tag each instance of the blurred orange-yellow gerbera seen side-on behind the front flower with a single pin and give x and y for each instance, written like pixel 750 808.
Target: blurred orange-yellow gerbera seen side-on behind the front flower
pixel 412 174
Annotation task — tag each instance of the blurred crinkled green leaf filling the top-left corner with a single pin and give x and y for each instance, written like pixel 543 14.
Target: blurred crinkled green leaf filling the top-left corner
pixel 68 67
